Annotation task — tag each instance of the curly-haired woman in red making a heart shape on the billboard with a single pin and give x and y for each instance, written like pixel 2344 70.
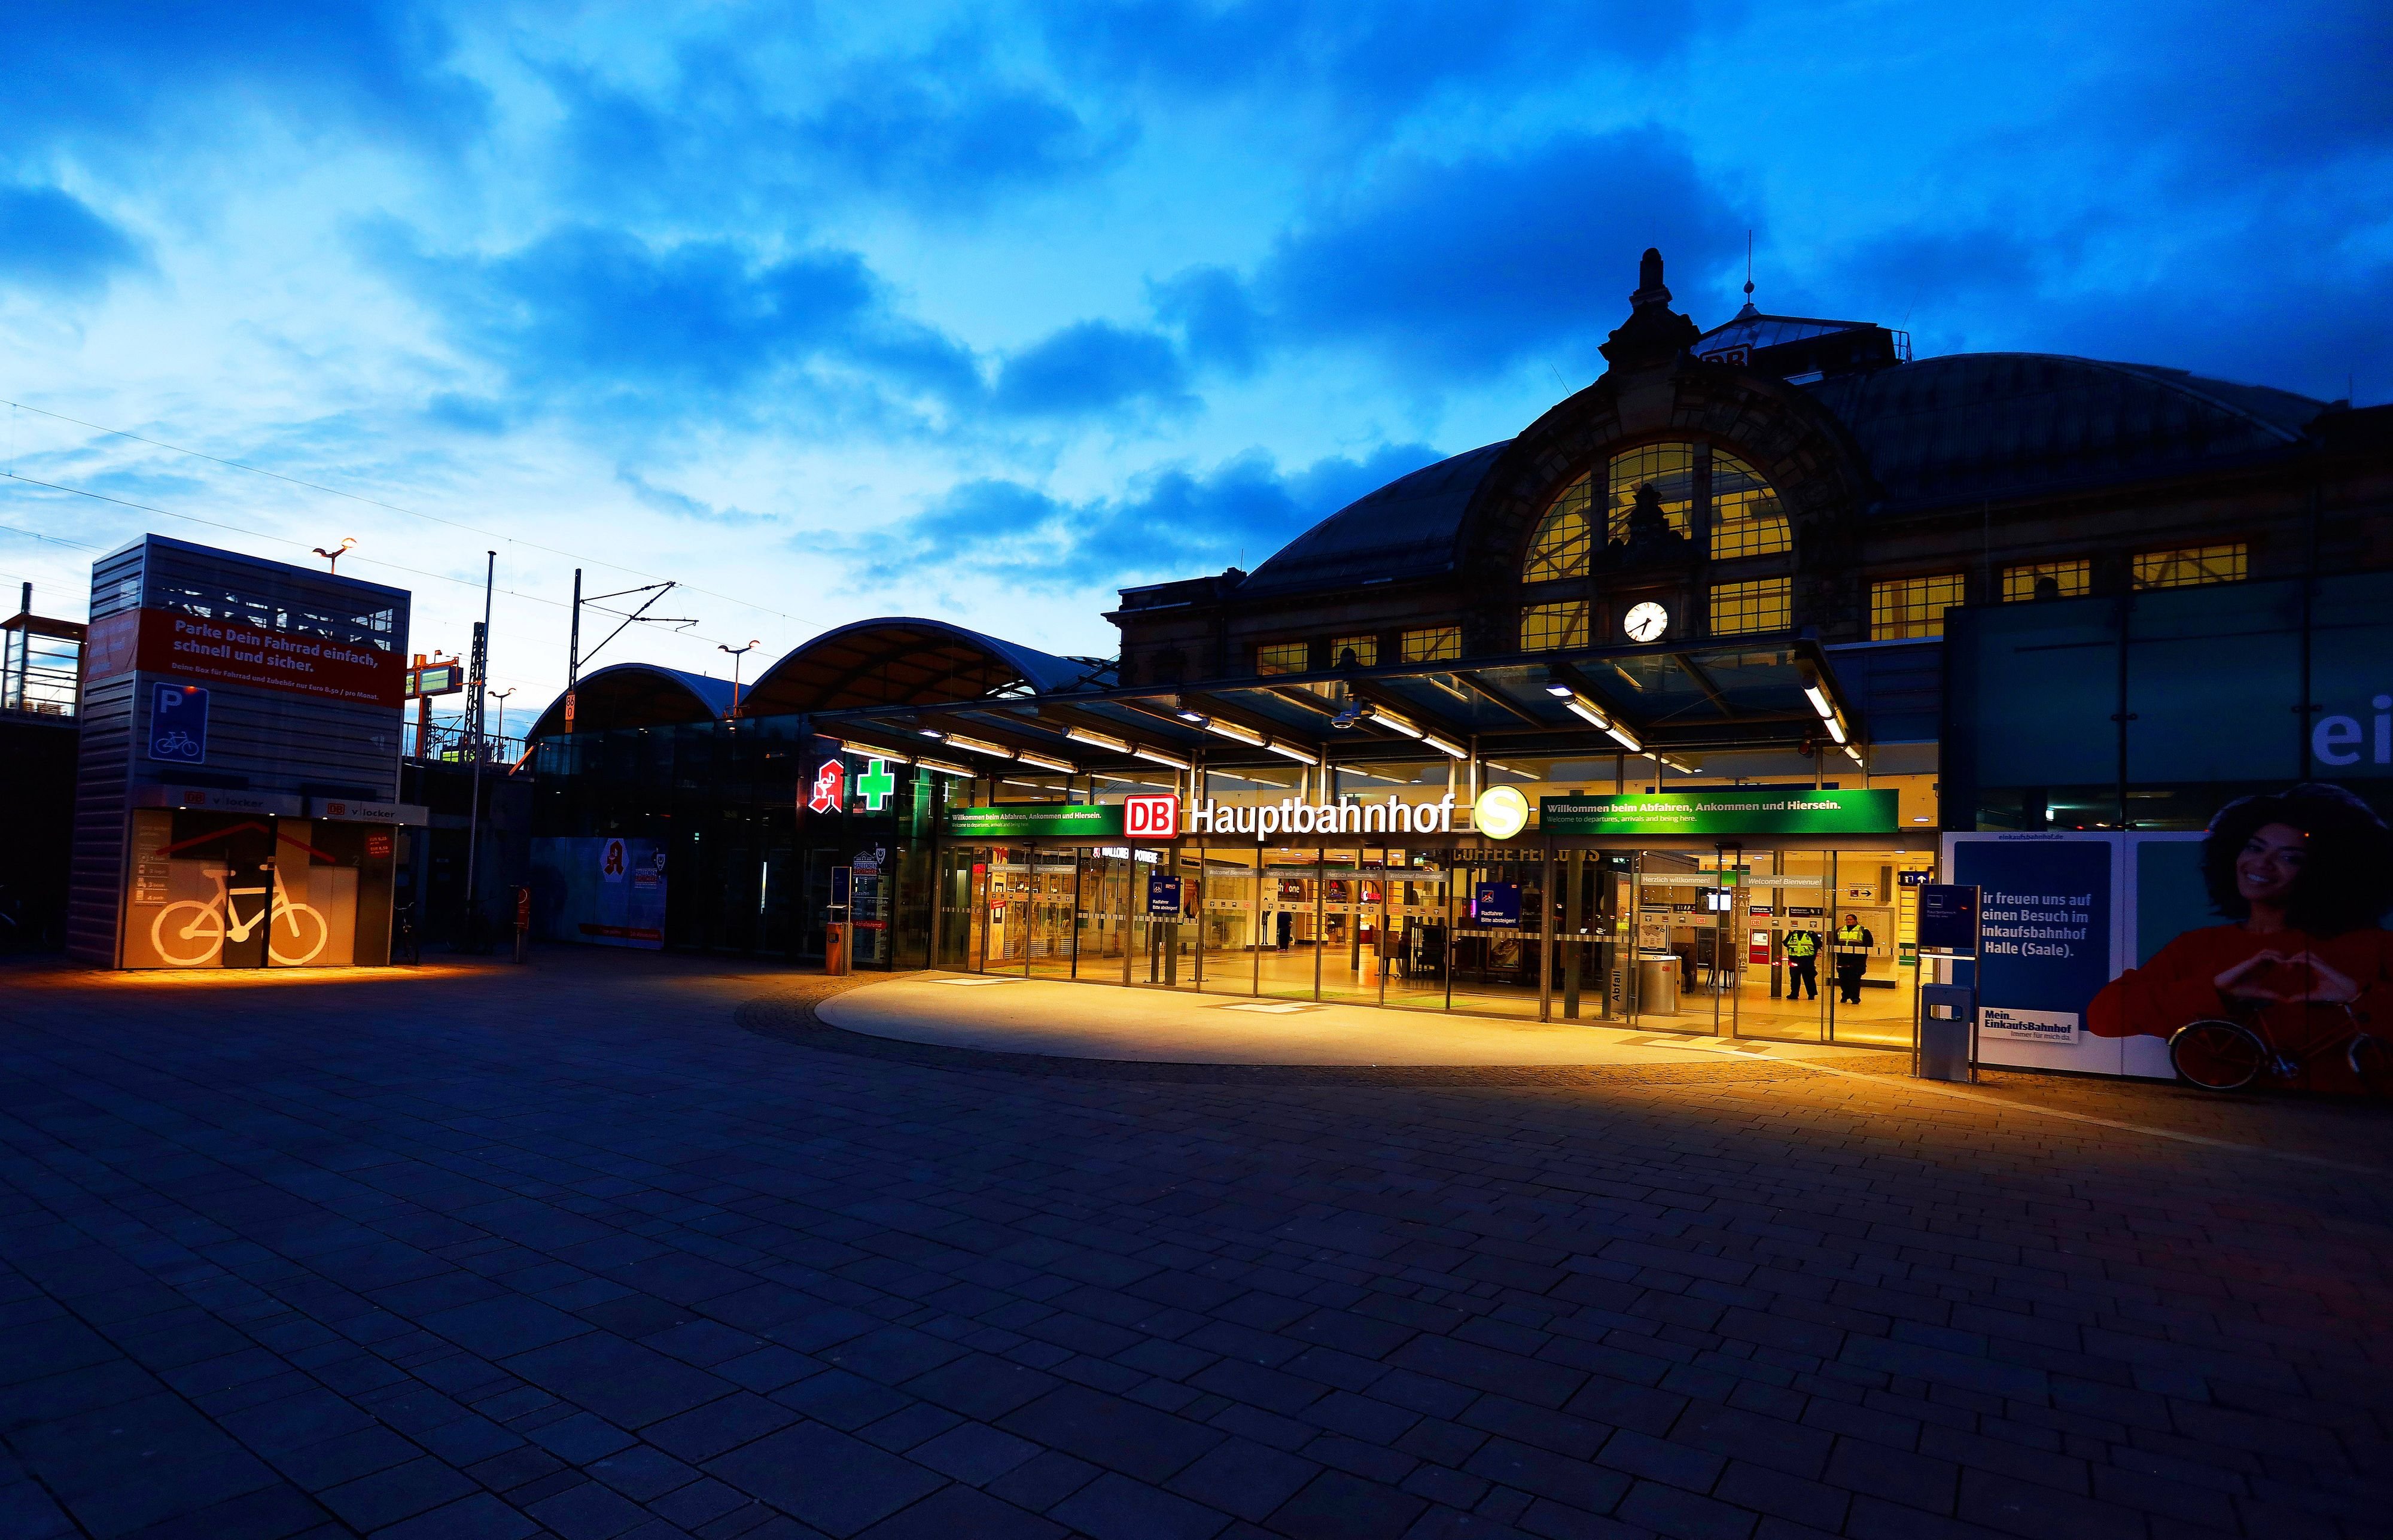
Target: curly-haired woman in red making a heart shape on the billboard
pixel 2306 876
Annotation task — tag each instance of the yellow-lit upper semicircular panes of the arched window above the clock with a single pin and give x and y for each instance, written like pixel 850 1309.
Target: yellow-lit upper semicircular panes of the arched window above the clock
pixel 1700 489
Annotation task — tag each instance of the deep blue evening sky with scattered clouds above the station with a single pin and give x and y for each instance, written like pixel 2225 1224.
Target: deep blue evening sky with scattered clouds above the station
pixel 985 312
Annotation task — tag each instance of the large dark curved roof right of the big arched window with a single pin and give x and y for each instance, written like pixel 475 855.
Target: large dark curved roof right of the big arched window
pixel 2014 424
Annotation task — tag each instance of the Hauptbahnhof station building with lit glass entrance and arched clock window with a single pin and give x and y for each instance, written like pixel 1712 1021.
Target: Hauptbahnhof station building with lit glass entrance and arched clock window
pixel 1655 714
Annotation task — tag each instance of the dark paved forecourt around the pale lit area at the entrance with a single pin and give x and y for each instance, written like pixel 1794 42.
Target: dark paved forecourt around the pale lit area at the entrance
pixel 571 1249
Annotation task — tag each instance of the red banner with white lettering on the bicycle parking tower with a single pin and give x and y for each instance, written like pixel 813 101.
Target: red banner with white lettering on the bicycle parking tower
pixel 162 642
